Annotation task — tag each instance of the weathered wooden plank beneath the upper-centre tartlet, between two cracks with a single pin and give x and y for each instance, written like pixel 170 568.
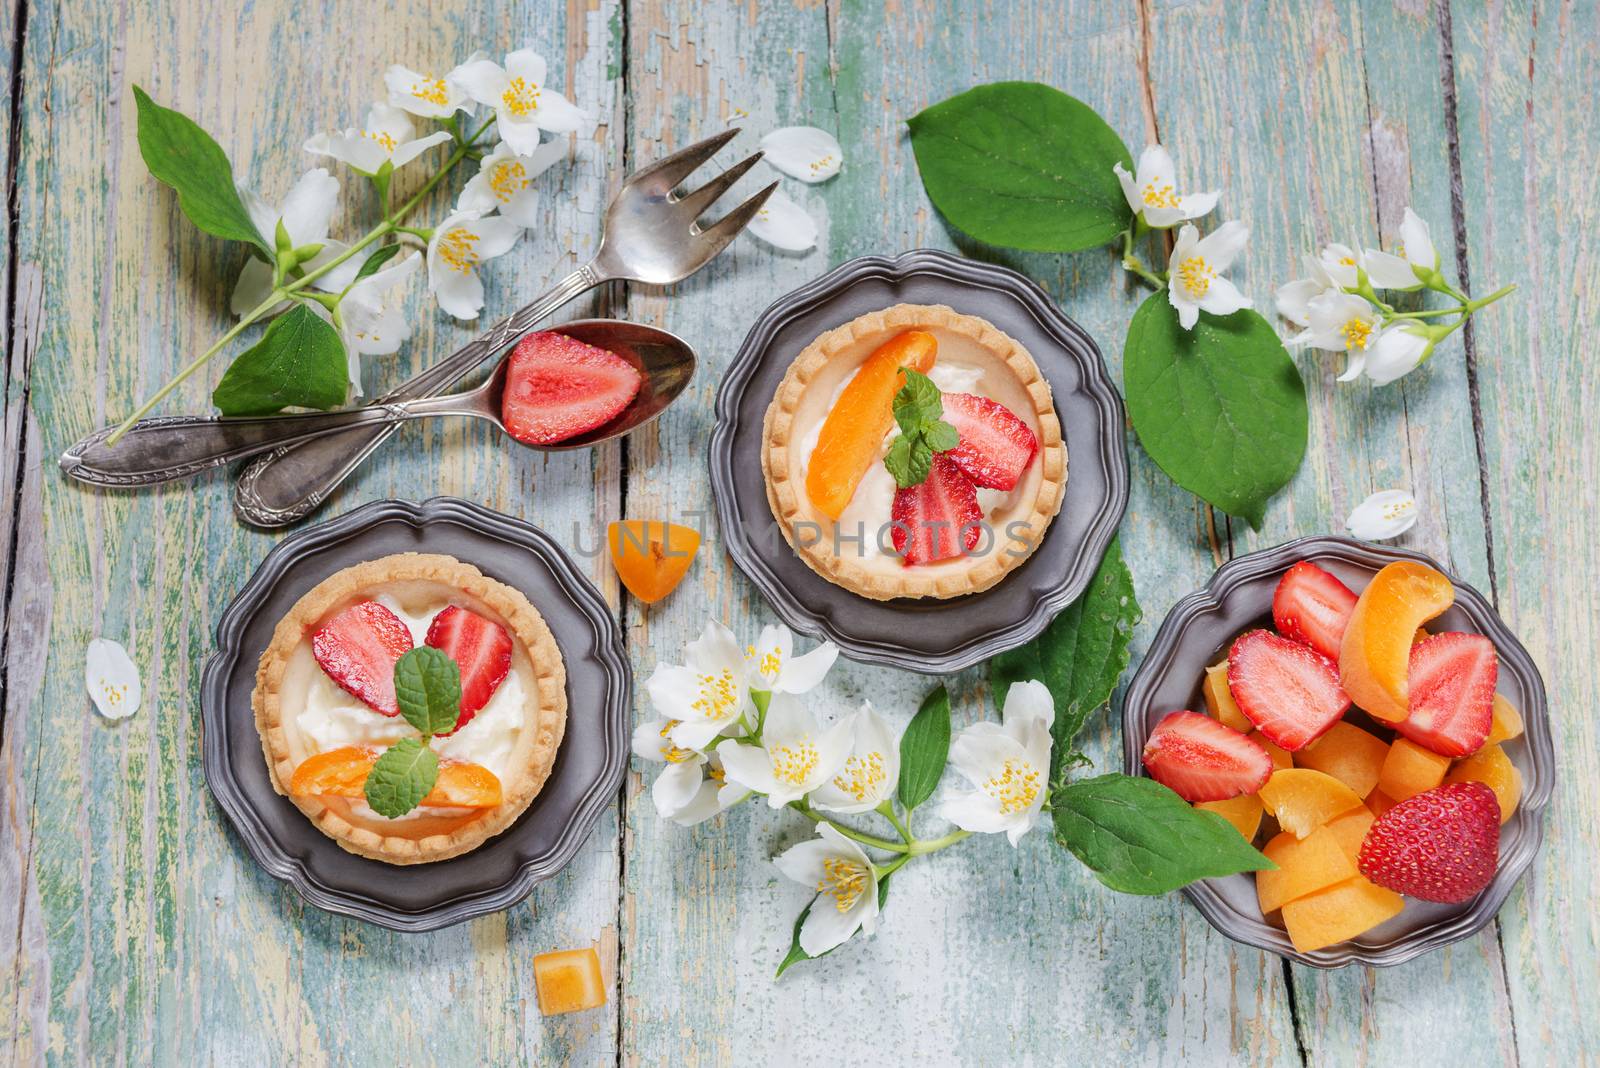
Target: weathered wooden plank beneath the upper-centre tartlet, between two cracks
pixel 708 917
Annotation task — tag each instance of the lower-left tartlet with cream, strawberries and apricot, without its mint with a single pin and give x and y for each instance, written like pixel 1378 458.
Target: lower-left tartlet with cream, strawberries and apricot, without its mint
pixel 327 706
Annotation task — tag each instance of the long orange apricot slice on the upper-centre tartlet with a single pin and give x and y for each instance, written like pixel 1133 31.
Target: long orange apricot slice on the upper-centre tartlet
pixel 852 437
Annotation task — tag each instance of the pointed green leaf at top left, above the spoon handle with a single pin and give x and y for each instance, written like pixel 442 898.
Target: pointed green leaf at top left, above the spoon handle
pixel 185 157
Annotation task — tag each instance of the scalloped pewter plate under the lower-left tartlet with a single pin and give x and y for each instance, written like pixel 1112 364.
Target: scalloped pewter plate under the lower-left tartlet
pixel 588 768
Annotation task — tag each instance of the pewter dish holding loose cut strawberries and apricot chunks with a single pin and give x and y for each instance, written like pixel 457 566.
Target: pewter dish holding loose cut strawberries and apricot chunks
pixel 1199 632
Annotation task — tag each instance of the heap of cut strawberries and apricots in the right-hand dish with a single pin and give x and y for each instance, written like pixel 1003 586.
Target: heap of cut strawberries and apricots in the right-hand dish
pixel 1364 752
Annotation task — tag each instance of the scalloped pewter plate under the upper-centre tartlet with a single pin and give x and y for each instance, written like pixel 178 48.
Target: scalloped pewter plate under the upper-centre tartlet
pixel 924 636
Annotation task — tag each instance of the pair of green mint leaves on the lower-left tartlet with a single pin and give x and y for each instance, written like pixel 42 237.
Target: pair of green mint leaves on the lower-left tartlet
pixel 428 690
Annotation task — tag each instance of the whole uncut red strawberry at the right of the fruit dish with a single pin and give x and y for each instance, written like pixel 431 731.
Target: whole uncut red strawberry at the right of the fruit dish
pixel 1439 847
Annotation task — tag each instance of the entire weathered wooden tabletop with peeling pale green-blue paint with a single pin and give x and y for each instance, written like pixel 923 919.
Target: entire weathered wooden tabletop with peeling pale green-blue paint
pixel 137 930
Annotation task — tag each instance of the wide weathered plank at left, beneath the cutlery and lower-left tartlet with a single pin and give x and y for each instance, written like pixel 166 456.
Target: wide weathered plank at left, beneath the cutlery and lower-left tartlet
pixel 146 931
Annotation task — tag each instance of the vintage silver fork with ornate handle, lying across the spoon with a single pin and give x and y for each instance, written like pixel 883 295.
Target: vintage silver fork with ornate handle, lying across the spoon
pixel 652 234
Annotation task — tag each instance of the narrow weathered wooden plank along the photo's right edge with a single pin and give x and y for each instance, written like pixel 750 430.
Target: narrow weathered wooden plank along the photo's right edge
pixel 1524 78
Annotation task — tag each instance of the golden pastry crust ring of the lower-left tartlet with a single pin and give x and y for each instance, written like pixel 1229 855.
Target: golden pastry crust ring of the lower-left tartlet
pixel 546 712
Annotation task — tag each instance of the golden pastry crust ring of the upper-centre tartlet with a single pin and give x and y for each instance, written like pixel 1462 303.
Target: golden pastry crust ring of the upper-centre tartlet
pixel 786 495
